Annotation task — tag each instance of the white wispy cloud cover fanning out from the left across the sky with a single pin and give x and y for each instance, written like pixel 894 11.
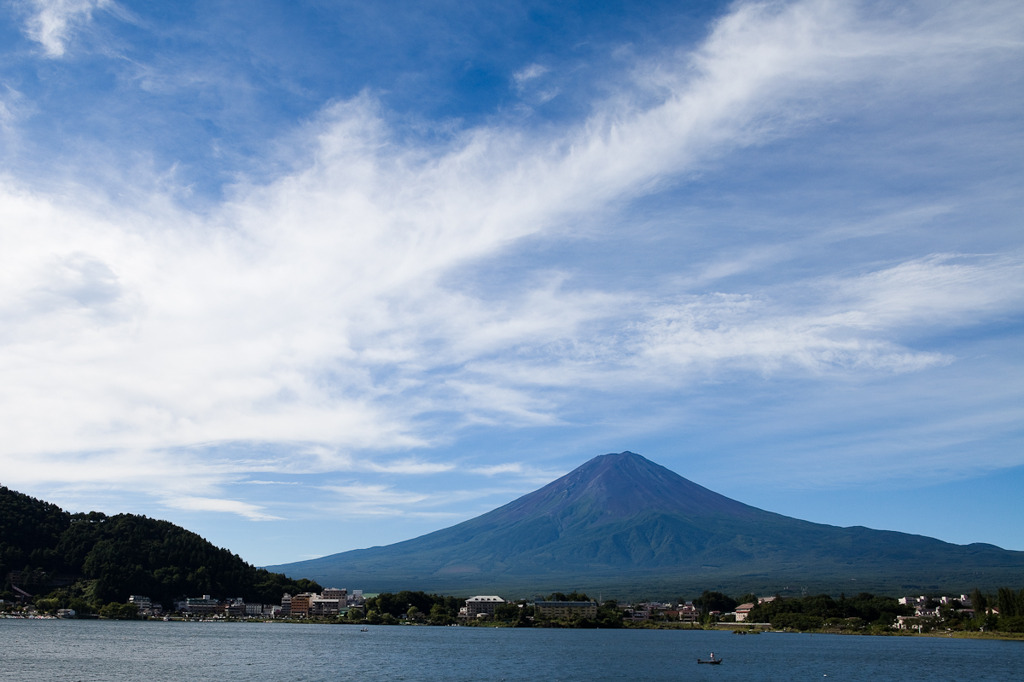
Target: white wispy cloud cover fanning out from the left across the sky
pixel 327 307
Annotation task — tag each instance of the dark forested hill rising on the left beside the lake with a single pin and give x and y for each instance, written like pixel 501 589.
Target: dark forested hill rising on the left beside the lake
pixel 101 559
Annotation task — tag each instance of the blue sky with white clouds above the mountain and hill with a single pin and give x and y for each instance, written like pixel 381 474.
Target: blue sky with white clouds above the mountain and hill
pixel 316 276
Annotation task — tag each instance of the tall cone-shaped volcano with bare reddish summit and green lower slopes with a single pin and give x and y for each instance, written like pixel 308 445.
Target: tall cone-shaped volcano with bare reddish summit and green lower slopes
pixel 623 526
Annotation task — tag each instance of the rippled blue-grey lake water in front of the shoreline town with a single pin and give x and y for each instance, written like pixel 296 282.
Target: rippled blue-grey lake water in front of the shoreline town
pixel 130 651
